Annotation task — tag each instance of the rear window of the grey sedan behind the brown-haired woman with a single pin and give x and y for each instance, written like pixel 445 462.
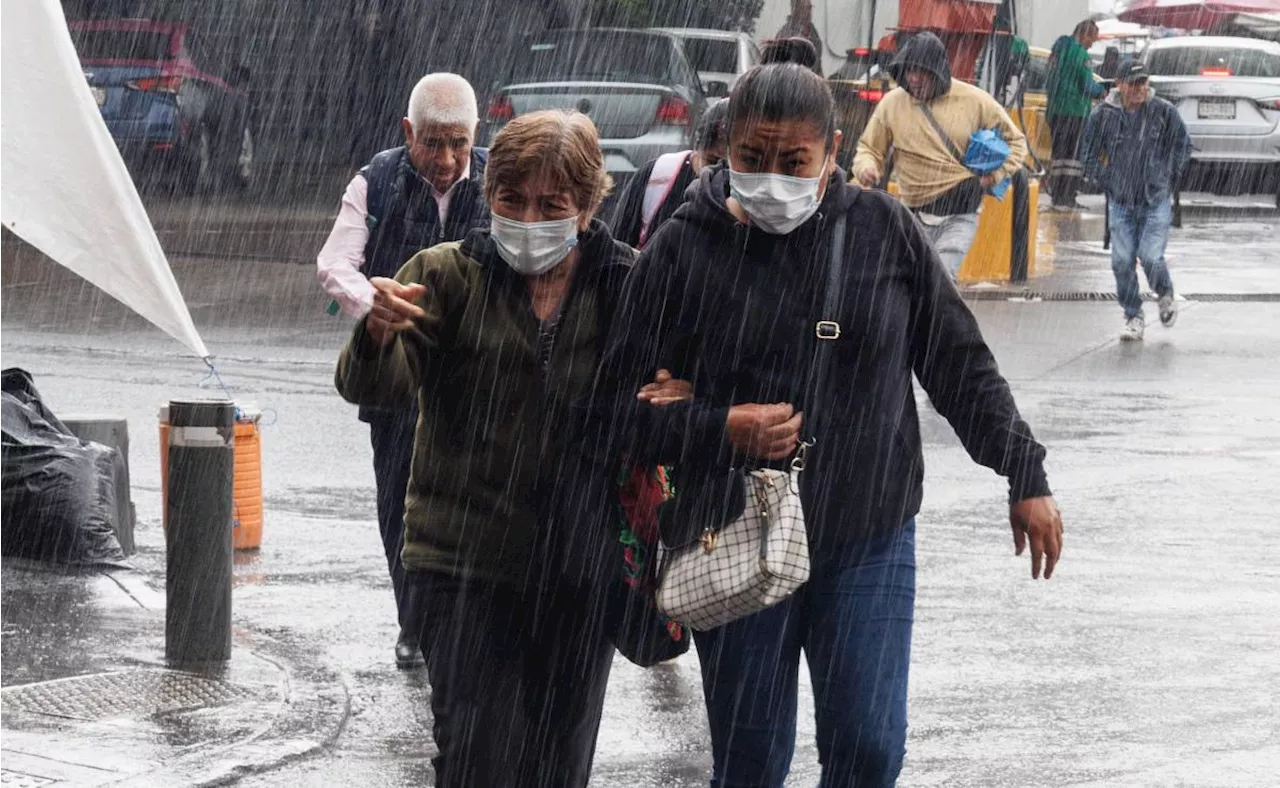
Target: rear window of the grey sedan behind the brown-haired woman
pixel 595 57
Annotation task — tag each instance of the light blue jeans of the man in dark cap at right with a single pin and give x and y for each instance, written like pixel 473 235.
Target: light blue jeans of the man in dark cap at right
pixel 1140 233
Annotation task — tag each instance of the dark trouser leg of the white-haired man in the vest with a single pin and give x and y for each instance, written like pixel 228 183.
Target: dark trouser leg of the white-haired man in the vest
pixel 392 436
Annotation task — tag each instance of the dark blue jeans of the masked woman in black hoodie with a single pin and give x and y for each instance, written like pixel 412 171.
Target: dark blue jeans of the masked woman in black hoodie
pixel 854 622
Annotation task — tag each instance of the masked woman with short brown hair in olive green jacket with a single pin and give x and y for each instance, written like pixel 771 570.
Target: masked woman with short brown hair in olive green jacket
pixel 497 338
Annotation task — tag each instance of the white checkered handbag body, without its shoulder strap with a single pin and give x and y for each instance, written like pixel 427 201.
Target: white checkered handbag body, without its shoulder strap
pixel 755 562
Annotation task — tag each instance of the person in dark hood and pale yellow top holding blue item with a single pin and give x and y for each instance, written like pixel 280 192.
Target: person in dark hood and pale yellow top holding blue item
pixel 929 122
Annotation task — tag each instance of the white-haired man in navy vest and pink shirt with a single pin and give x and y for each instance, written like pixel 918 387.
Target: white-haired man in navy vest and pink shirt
pixel 413 198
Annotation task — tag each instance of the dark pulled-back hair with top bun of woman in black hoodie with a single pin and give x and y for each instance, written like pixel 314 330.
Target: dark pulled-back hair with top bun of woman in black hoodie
pixel 784 93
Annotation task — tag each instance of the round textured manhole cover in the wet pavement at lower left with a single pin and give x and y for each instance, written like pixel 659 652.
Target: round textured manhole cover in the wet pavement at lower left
pixel 125 694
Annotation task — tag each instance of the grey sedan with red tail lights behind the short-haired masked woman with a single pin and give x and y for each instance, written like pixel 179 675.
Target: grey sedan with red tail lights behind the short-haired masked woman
pixel 637 86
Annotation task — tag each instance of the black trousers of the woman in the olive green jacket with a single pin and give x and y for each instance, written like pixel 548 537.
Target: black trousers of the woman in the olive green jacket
pixel 518 681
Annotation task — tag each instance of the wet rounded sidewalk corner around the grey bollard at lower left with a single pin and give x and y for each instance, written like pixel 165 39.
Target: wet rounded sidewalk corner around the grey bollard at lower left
pixel 88 699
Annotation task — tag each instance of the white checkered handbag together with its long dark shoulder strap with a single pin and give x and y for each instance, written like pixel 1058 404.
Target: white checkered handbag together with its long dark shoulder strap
pixel 761 557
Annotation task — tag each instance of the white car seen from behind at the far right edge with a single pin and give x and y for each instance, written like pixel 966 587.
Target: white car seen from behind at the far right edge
pixel 1228 94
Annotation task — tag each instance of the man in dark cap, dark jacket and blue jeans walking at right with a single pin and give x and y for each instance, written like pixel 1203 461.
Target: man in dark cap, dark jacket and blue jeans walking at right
pixel 1136 149
